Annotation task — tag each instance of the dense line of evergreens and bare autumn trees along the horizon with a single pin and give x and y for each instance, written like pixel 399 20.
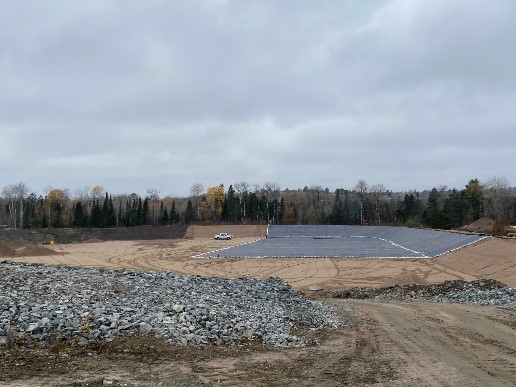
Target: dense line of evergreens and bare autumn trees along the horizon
pixel 242 203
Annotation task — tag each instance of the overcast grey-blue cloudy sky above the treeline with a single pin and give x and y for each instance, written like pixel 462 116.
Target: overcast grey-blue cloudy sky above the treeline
pixel 137 94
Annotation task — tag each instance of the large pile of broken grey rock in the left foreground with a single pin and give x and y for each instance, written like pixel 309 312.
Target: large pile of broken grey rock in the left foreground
pixel 50 302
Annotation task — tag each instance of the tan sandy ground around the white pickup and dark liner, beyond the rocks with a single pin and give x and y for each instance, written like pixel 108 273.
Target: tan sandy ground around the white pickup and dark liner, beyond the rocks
pixel 491 258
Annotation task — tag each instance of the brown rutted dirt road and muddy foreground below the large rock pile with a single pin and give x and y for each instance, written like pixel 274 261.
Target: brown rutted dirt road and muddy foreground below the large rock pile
pixel 384 344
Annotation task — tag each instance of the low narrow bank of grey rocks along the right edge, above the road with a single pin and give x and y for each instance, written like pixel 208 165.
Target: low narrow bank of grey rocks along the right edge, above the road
pixel 479 292
